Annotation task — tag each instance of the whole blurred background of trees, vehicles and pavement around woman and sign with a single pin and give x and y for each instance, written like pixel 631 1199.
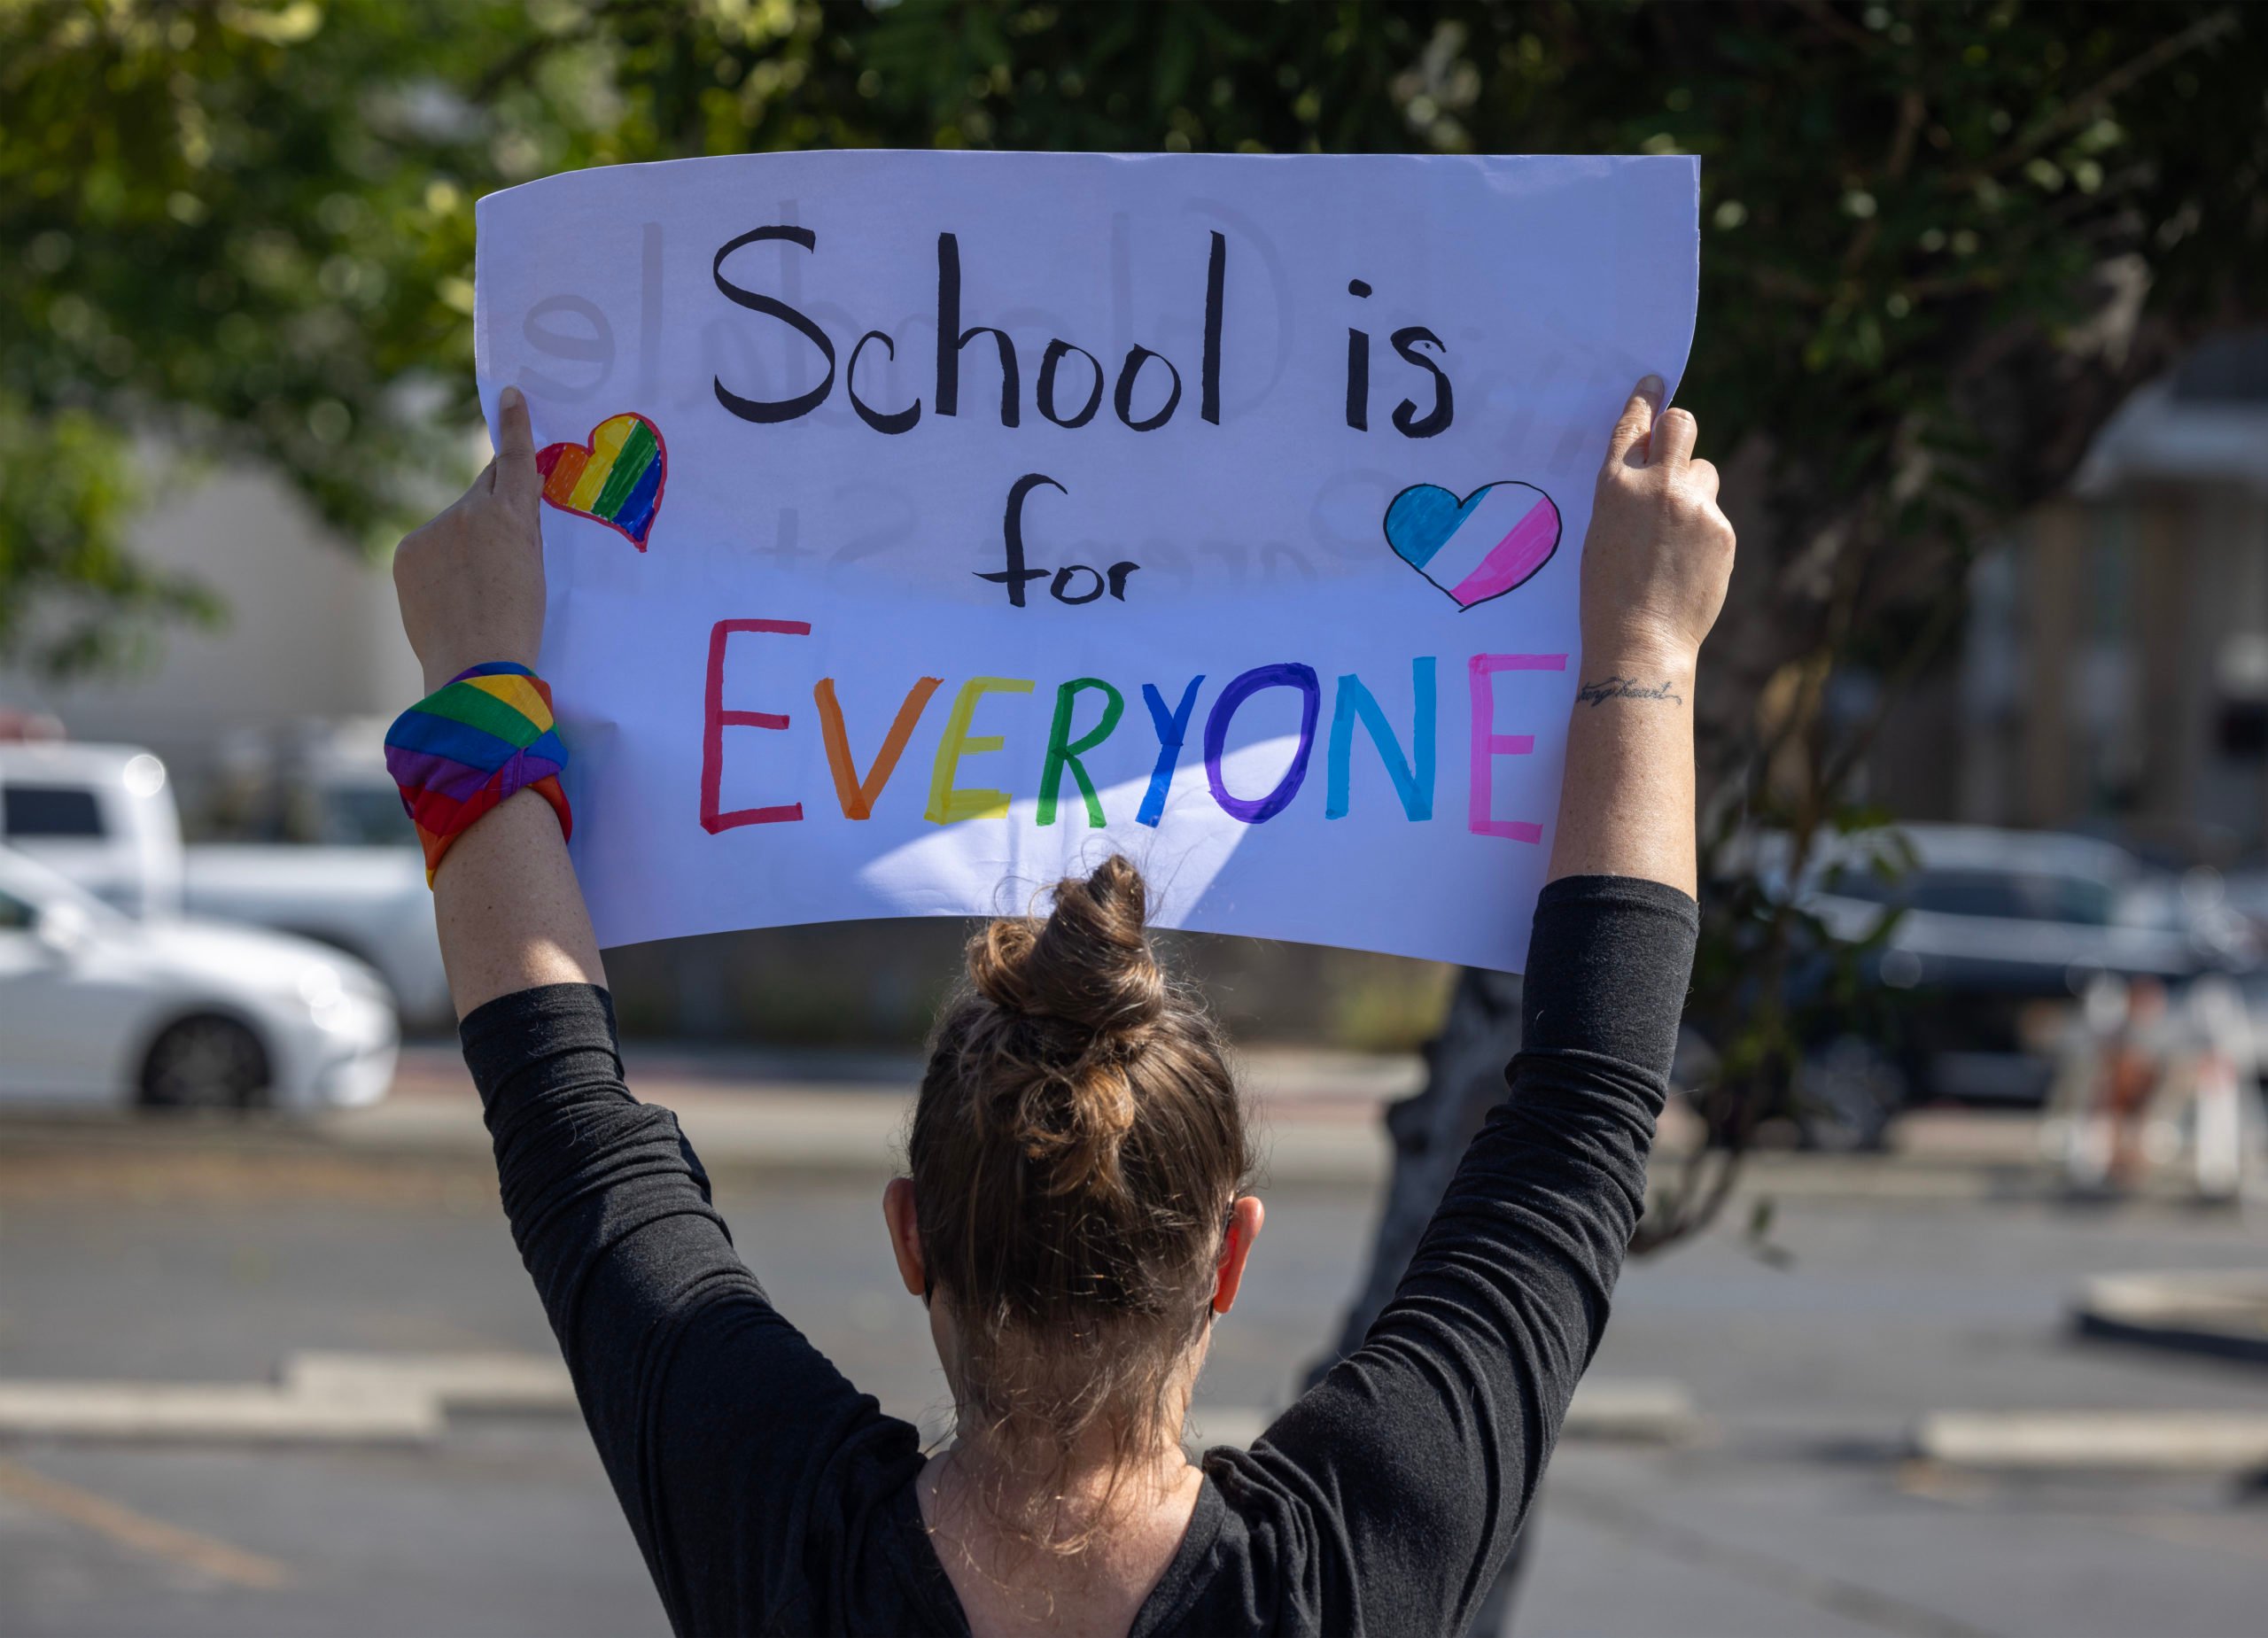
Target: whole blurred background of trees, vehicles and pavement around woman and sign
pixel 1952 1312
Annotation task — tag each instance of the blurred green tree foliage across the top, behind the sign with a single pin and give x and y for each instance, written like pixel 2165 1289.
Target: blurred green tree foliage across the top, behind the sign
pixel 1940 244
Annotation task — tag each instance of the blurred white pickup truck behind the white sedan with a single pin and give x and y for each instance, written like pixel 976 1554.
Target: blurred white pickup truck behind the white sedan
pixel 103 816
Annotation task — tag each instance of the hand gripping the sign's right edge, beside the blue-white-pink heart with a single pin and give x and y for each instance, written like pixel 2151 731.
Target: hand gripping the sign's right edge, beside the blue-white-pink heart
pixel 1659 552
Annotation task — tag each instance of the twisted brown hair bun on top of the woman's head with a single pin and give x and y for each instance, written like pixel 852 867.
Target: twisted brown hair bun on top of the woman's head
pixel 1088 965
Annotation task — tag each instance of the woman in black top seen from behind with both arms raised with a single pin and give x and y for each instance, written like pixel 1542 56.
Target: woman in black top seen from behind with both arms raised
pixel 1076 1210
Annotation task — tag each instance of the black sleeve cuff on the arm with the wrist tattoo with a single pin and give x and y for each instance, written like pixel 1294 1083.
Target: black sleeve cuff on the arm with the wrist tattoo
pixel 1609 965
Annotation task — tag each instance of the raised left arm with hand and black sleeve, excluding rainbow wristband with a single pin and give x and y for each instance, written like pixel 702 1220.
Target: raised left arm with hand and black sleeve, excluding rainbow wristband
pixel 691 1383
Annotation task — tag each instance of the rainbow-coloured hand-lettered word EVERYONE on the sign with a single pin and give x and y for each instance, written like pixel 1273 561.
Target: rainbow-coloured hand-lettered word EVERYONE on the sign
pixel 1410 763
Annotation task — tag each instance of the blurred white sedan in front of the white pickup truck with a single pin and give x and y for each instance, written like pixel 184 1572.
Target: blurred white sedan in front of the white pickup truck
pixel 99 1008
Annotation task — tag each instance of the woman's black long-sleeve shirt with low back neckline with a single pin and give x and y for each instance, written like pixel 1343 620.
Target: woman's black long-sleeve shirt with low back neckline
pixel 770 1496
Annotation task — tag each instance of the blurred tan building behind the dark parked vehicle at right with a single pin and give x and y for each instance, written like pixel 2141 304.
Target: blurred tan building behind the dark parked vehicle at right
pixel 2115 673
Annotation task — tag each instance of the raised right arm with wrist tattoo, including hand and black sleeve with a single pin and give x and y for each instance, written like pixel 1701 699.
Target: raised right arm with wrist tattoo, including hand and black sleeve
pixel 1419 1455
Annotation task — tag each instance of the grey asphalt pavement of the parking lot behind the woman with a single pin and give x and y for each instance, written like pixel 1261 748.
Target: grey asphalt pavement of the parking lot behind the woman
pixel 1795 1503
